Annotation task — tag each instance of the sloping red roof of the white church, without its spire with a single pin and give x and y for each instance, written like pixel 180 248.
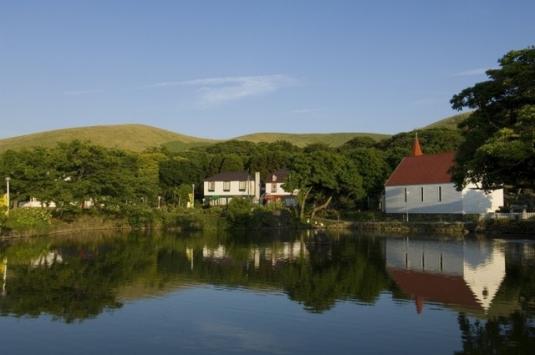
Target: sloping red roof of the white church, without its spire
pixel 423 169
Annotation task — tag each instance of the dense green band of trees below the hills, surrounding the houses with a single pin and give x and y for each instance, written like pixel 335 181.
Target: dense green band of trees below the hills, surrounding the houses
pixel 80 174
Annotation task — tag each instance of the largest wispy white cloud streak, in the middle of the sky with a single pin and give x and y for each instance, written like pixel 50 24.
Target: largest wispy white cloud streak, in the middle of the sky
pixel 220 90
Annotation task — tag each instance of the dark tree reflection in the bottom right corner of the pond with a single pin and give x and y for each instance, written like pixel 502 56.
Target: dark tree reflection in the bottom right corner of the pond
pixel 514 334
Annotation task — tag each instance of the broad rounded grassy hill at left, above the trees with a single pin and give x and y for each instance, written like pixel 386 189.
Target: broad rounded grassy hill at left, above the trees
pixel 133 137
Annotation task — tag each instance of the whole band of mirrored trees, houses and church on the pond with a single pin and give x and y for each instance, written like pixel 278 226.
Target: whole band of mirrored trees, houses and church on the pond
pixel 489 284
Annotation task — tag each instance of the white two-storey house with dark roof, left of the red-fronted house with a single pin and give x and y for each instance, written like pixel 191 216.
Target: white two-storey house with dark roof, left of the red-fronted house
pixel 221 188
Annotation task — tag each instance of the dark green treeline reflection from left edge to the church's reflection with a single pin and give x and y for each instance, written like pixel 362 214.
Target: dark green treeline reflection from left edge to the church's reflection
pixel 91 272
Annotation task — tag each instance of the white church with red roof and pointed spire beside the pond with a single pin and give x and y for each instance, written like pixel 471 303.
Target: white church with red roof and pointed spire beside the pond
pixel 422 183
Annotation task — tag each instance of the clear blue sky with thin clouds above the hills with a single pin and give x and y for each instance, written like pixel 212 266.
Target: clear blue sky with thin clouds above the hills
pixel 223 68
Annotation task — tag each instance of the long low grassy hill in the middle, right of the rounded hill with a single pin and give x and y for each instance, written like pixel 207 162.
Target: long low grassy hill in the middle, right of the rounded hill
pixel 301 140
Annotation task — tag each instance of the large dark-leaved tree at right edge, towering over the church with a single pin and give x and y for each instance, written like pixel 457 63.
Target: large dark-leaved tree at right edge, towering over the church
pixel 499 145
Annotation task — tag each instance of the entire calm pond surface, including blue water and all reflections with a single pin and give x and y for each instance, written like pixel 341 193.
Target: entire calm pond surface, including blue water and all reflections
pixel 283 294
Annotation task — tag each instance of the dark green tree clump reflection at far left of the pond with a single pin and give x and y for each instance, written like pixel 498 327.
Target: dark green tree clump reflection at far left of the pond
pixel 81 286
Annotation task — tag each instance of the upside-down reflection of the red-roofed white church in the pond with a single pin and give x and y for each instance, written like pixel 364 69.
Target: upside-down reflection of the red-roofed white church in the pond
pixel 462 273
